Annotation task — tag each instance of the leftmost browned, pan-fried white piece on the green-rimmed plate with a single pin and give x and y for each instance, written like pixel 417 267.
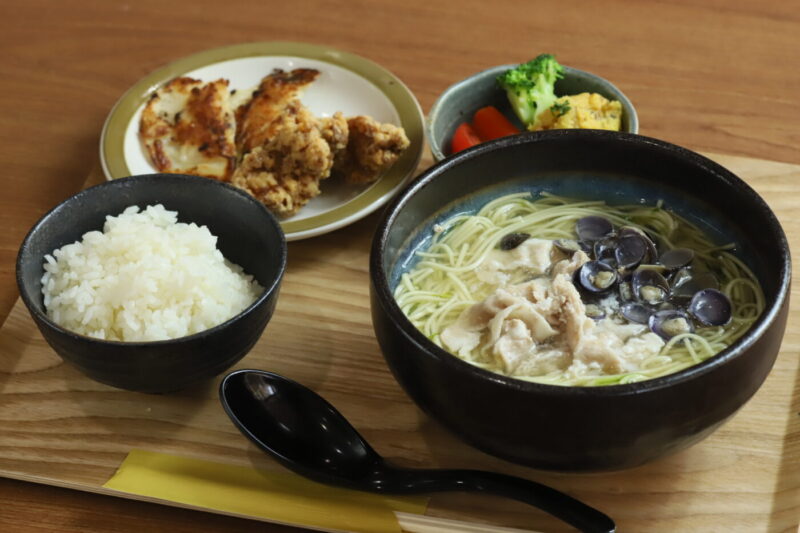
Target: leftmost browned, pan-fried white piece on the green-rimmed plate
pixel 188 126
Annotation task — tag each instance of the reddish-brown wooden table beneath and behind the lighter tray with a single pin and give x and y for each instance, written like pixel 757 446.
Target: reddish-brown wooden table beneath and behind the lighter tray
pixel 715 76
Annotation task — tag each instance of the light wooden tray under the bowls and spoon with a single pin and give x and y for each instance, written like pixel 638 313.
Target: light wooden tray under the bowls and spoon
pixel 60 428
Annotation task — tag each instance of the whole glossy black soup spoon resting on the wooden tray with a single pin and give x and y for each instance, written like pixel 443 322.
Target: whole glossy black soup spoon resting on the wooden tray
pixel 309 436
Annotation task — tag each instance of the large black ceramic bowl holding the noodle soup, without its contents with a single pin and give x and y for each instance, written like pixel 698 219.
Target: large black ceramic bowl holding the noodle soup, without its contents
pixel 581 428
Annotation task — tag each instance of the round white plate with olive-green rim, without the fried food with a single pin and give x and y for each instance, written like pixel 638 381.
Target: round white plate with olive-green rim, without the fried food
pixel 347 83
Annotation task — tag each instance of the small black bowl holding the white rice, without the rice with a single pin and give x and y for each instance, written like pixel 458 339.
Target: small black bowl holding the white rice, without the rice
pixel 248 235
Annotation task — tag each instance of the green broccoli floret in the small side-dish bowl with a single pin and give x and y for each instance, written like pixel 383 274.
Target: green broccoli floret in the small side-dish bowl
pixel 530 87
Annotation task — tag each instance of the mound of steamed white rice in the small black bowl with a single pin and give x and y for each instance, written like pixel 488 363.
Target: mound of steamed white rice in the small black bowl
pixel 145 277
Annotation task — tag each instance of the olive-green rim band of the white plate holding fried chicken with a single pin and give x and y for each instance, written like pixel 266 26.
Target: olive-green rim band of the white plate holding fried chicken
pixel 112 155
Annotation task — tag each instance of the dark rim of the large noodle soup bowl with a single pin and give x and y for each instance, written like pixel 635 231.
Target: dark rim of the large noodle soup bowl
pixel 380 277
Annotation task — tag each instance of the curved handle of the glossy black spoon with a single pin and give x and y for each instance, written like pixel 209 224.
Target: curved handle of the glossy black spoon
pixel 558 504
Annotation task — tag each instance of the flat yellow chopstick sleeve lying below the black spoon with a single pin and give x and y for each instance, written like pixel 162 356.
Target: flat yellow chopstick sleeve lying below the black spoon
pixel 281 497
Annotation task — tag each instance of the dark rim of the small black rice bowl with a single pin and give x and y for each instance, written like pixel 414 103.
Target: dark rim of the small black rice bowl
pixel 146 178
